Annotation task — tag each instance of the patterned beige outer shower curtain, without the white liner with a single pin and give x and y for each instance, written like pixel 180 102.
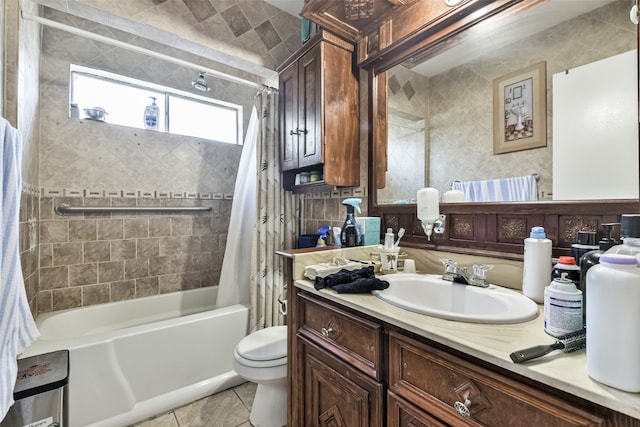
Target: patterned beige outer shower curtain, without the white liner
pixel 275 223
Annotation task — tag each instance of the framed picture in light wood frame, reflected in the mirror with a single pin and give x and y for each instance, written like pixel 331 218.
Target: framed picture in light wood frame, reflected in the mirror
pixel 520 110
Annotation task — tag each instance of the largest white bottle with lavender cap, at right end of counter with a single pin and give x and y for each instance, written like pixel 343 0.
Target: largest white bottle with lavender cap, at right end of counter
pixel 613 341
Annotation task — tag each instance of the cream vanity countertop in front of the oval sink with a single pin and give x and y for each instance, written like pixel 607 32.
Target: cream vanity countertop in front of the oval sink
pixel 493 344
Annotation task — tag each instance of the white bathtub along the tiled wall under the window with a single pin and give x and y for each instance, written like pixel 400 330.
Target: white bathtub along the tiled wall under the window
pixel 133 359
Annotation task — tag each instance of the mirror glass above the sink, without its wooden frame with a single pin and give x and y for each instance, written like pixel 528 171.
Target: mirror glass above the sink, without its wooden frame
pixel 440 113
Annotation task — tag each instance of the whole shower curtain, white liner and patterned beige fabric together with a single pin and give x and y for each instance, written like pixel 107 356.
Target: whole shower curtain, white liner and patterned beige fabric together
pixel 263 220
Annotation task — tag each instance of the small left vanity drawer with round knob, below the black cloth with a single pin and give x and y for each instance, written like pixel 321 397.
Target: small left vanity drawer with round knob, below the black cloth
pixel 353 339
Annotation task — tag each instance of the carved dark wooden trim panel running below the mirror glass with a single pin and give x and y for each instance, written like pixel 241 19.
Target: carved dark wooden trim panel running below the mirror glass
pixel 499 229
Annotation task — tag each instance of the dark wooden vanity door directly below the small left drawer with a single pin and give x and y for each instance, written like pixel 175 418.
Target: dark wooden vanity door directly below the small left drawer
pixel 337 395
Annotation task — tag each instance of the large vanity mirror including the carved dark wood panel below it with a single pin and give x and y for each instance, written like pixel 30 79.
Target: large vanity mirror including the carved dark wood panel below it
pixel 443 109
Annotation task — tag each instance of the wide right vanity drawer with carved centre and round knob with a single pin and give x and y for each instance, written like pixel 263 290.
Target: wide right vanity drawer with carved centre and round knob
pixel 437 382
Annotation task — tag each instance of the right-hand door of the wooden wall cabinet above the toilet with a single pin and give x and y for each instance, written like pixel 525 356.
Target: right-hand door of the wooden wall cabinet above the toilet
pixel 310 107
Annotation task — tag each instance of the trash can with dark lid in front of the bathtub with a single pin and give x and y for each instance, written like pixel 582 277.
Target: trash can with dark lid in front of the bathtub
pixel 40 393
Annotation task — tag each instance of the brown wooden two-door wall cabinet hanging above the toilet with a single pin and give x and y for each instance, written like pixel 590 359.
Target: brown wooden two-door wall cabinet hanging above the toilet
pixel 319 113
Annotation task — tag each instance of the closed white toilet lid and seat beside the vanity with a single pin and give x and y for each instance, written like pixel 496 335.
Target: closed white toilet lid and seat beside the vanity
pixel 264 348
